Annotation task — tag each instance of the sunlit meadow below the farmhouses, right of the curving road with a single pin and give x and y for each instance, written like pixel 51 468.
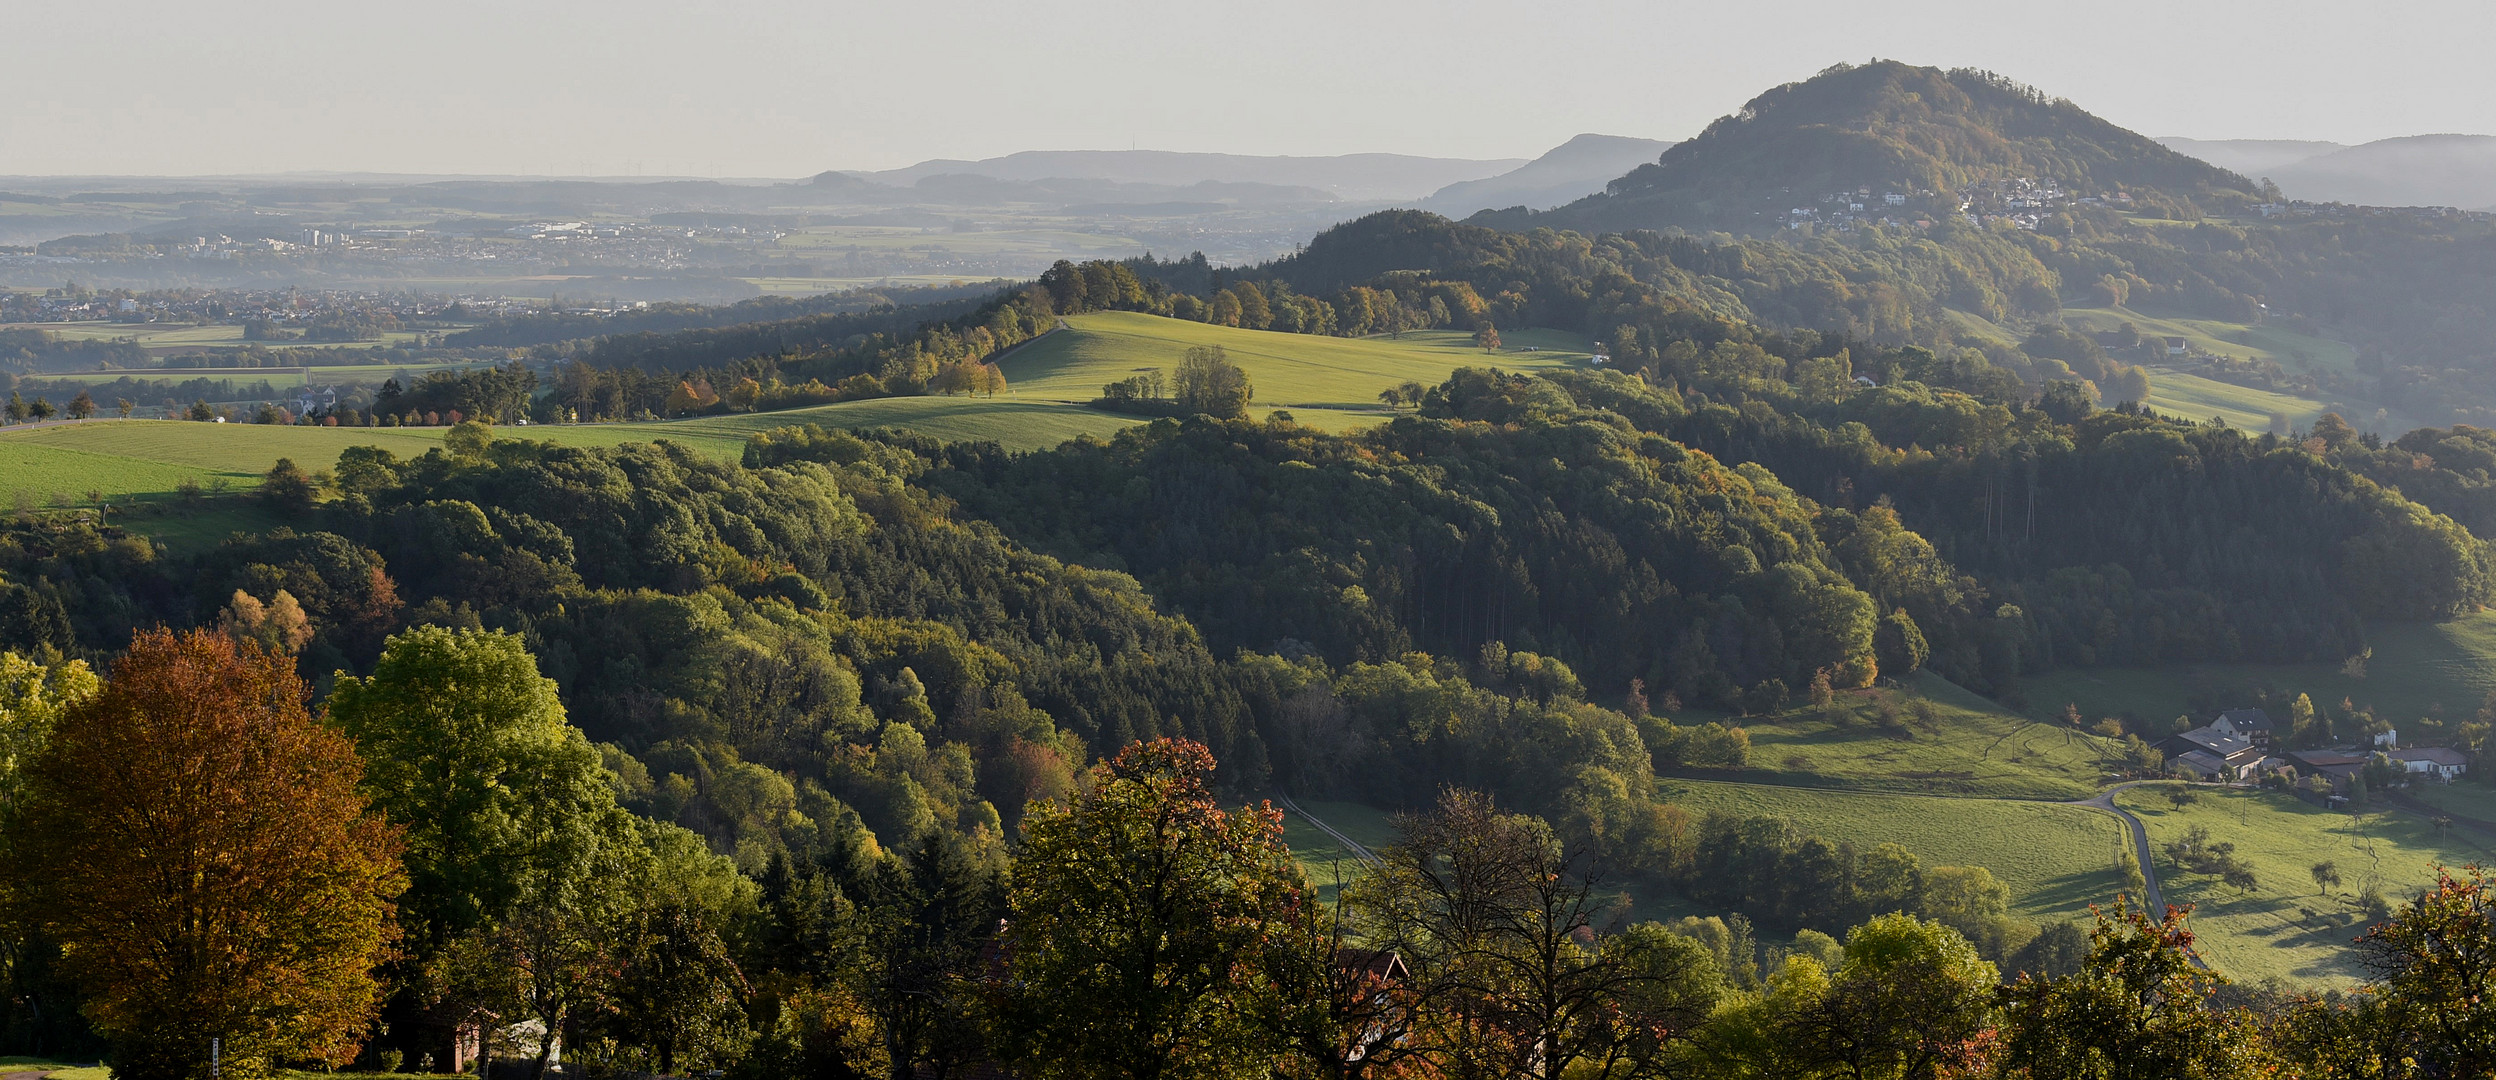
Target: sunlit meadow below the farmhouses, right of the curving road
pixel 2288 929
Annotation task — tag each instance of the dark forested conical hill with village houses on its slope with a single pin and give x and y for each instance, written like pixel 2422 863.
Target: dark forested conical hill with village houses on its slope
pixel 1891 128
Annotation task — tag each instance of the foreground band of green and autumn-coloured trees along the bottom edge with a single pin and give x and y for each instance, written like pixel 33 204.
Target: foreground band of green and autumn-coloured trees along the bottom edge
pixel 1139 929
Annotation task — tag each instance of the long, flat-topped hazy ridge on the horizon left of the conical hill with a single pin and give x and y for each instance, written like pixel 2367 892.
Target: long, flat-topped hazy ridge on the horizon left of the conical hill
pixel 1362 178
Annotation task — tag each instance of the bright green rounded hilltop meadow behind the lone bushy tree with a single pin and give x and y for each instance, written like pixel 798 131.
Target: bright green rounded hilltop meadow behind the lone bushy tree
pixel 1289 370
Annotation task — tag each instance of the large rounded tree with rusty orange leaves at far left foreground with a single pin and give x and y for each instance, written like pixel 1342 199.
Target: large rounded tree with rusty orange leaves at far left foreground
pixel 198 847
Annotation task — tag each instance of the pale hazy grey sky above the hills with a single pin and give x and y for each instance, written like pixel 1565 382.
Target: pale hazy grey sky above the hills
pixel 782 89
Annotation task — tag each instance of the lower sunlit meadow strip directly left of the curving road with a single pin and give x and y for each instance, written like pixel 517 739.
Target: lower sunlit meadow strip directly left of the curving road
pixel 2053 859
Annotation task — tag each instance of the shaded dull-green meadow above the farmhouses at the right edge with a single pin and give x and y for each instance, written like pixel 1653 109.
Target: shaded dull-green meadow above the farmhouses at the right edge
pixel 2417 670
